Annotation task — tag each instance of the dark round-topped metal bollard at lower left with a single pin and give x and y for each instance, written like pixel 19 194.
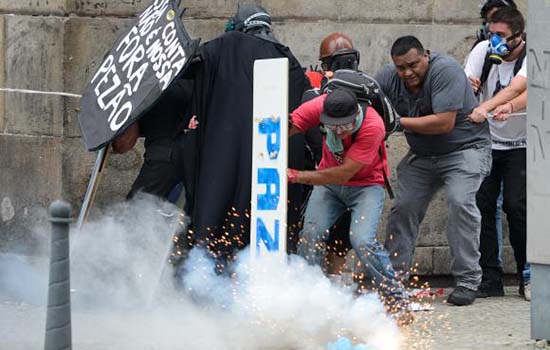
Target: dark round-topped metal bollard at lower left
pixel 58 317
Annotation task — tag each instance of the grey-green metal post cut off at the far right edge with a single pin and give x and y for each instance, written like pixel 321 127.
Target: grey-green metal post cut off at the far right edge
pixel 538 165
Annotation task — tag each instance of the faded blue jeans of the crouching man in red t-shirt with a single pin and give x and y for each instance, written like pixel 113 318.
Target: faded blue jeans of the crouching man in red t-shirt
pixel 326 204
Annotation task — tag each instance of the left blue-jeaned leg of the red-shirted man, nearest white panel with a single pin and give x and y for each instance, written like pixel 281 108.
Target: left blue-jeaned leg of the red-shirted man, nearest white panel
pixel 323 209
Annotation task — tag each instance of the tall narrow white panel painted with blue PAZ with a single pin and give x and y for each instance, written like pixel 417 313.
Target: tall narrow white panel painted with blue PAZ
pixel 269 157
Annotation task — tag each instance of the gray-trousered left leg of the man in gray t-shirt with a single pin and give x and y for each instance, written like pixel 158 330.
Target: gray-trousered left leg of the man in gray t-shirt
pixel 416 185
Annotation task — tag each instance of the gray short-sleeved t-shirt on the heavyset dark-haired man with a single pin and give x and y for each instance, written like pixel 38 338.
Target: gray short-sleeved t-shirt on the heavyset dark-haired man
pixel 445 88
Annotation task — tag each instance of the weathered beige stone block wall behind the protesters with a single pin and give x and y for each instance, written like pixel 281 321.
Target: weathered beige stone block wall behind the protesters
pixel 55 45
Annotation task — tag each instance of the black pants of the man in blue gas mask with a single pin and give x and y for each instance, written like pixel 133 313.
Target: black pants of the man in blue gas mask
pixel 508 167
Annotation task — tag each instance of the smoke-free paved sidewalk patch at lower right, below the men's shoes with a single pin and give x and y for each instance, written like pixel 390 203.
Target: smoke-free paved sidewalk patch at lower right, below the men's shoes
pixel 491 323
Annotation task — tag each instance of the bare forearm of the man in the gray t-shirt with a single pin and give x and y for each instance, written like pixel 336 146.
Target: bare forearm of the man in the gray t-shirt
pixel 433 124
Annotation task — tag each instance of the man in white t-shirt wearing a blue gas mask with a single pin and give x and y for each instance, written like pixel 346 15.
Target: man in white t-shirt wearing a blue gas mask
pixel 491 67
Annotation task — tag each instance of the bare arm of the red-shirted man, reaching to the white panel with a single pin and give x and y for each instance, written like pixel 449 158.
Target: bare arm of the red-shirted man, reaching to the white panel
pixel 330 176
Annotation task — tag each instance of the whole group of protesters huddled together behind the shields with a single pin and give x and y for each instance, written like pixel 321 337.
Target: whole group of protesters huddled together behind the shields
pixel 465 127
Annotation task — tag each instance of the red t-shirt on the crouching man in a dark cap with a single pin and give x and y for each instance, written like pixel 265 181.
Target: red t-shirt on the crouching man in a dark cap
pixel 364 149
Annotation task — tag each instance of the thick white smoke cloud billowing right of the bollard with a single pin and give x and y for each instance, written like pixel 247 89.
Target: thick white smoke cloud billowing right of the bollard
pixel 125 295
